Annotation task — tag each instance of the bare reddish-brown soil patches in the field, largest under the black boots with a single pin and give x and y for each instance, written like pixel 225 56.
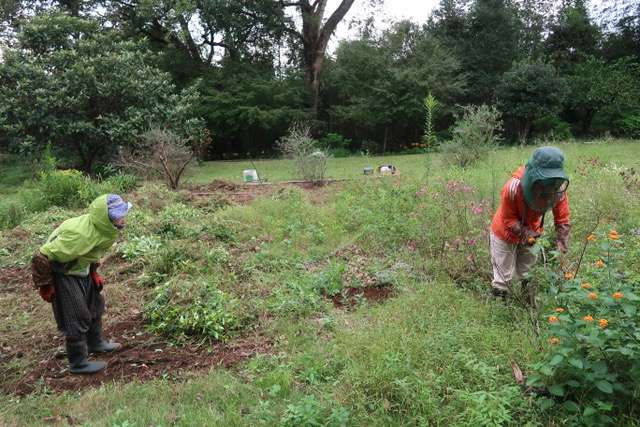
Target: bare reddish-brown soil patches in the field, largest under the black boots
pixel 143 356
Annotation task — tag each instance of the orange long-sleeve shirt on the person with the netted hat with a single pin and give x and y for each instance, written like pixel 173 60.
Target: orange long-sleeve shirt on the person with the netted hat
pixel 512 209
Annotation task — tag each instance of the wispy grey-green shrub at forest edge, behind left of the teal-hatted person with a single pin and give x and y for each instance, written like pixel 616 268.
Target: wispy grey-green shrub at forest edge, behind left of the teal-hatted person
pixel 474 136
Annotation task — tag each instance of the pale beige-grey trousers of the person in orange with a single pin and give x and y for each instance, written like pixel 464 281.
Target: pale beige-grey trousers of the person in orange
pixel 509 260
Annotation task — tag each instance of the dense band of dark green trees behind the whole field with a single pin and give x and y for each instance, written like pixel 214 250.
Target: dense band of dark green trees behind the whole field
pixel 232 76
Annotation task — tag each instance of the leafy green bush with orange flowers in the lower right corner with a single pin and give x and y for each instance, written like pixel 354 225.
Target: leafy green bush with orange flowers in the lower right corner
pixel 593 364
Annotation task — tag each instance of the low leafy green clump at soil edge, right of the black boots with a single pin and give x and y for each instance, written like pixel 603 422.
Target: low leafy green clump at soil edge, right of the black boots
pixel 192 309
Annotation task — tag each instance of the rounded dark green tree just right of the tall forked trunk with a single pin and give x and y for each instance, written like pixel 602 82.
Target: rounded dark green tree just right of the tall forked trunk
pixel 378 84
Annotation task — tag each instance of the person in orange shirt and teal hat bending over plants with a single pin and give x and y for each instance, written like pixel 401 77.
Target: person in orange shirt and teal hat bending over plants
pixel 531 191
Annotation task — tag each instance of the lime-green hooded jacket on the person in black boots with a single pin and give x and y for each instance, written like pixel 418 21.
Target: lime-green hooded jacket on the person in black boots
pixel 81 240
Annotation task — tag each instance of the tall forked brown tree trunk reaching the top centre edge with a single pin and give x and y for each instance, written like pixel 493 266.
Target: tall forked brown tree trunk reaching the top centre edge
pixel 315 37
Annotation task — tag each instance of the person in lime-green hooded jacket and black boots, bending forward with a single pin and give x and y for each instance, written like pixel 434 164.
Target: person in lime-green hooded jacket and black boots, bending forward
pixel 65 272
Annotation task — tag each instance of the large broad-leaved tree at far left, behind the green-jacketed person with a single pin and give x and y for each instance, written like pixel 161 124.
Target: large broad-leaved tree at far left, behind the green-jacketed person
pixel 86 91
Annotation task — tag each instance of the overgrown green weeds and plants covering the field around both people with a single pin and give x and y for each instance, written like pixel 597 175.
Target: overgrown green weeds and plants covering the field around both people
pixel 204 271
